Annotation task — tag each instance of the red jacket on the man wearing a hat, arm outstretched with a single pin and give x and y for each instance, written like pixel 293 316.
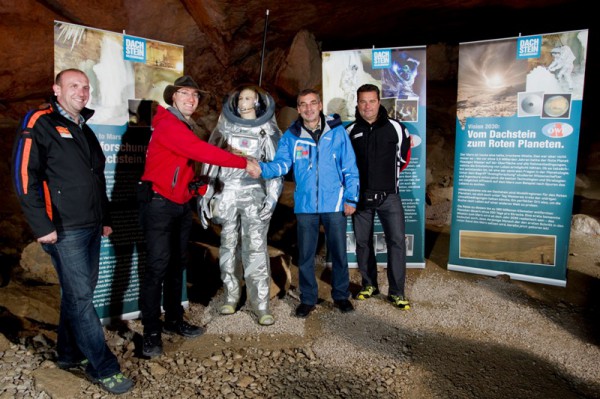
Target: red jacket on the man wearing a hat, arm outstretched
pixel 172 149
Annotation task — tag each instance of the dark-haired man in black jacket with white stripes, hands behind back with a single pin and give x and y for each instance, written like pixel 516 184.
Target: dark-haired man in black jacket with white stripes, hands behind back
pixel 382 148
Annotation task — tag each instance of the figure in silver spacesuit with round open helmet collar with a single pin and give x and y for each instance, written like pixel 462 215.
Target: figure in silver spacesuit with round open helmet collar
pixel 244 206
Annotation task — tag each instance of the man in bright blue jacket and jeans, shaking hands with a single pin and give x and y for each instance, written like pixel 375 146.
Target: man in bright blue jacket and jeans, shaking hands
pixel 326 176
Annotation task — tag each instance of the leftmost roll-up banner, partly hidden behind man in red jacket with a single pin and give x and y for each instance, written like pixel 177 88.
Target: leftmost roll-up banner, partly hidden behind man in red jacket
pixel 127 76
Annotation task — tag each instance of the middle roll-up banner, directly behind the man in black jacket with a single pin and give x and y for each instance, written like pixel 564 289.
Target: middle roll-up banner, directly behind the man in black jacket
pixel 400 74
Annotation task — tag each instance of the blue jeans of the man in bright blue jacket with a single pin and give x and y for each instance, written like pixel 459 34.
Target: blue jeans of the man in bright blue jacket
pixel 308 236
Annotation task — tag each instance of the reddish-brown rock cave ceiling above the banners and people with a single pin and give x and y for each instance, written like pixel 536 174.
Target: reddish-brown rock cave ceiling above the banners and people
pixel 226 34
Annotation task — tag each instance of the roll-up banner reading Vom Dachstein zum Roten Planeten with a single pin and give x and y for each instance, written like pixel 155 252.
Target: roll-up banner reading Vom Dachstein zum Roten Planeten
pixel 517 132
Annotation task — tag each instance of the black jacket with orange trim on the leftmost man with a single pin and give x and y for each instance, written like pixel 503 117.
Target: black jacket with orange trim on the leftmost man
pixel 58 172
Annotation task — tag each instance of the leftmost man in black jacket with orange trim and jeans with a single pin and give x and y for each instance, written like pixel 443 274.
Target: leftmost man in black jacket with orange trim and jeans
pixel 59 179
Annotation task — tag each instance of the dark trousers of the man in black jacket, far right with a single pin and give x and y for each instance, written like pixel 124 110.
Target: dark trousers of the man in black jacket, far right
pixel 391 215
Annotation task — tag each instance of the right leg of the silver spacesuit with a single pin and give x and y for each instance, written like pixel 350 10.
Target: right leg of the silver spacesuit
pixel 255 256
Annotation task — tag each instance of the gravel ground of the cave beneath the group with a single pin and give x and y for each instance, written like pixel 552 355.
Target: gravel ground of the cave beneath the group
pixel 466 336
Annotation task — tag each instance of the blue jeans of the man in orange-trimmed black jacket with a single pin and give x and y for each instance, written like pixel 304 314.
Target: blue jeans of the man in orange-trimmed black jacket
pixel 75 256
